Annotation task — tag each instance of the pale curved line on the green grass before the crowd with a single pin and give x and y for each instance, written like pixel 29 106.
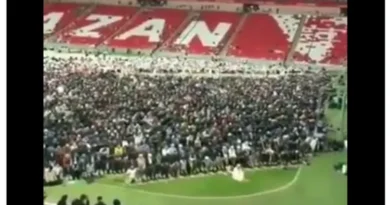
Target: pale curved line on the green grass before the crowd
pixel 284 187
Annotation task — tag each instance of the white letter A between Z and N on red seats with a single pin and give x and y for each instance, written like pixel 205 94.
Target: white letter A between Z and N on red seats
pixel 152 29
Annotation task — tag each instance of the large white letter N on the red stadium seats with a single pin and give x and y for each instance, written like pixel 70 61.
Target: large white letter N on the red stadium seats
pixel 207 38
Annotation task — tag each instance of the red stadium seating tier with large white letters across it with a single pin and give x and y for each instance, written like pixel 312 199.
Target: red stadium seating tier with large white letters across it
pixel 323 40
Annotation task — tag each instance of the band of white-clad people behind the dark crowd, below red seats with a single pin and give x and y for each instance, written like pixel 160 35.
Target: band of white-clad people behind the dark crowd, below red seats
pixel 163 65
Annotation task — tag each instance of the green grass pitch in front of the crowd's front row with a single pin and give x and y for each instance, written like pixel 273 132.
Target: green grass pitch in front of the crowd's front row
pixel 316 184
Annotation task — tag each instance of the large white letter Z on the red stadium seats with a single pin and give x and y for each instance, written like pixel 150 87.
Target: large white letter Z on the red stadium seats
pixel 101 21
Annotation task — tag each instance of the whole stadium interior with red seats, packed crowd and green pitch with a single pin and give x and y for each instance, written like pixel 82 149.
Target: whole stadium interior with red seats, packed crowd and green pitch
pixel 180 92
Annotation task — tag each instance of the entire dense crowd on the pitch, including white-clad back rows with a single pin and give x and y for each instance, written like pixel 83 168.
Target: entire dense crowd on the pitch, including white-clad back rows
pixel 105 115
